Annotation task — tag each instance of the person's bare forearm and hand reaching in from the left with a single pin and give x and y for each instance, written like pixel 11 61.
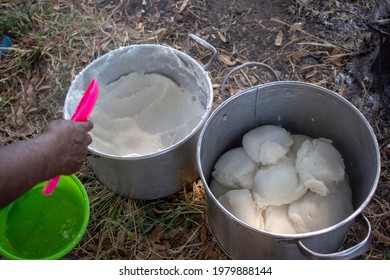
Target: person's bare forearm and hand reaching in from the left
pixel 59 150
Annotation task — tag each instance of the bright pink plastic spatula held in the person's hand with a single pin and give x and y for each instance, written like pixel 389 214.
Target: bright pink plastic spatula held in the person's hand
pixel 81 114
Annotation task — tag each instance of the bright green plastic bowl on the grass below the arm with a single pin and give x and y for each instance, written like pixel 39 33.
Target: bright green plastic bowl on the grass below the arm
pixel 42 227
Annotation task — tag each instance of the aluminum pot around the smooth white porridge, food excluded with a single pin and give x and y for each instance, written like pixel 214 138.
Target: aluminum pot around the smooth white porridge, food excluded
pixel 164 172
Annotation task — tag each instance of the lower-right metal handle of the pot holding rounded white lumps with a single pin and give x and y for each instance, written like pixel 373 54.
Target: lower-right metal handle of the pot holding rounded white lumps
pixel 347 254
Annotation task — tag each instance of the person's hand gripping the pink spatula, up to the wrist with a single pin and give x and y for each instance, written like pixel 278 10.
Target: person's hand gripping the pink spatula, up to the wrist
pixel 67 142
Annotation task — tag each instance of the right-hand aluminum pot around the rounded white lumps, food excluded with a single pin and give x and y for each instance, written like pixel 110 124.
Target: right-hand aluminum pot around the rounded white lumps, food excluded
pixel 300 108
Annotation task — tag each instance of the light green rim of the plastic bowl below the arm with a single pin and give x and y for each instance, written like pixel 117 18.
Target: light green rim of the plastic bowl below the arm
pixel 79 235
